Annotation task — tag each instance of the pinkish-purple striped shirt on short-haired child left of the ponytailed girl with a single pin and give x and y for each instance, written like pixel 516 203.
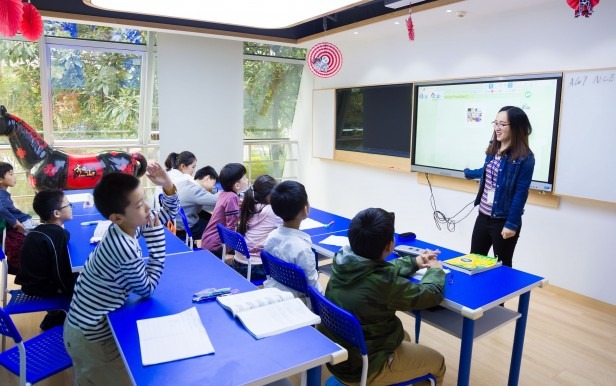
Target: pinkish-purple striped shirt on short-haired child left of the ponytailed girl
pixel 227 213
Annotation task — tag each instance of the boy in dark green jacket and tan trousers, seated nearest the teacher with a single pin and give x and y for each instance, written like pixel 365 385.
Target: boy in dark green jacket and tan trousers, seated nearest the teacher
pixel 373 289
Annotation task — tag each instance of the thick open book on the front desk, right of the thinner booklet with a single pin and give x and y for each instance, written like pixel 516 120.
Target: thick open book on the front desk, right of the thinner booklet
pixel 268 311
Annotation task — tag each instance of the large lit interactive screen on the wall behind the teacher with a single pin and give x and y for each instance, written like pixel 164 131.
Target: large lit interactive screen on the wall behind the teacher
pixel 452 123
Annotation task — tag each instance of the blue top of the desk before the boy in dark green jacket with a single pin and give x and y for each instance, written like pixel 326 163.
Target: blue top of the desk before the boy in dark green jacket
pixel 469 295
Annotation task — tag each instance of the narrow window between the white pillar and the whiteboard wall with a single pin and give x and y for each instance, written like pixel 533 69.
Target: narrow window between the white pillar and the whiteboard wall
pixel 272 76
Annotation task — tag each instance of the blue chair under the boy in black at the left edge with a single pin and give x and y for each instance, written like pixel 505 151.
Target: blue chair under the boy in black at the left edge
pixel 21 303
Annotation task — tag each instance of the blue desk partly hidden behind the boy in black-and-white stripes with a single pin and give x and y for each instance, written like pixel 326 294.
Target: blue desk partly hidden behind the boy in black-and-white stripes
pixel 79 247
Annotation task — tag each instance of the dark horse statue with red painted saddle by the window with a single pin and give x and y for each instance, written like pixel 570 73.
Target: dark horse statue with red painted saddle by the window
pixel 49 168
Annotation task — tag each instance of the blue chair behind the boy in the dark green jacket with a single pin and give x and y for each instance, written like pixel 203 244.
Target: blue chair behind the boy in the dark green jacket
pixel 345 325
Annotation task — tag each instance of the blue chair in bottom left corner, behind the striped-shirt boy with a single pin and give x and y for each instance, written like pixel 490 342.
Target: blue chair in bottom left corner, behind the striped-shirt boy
pixel 35 359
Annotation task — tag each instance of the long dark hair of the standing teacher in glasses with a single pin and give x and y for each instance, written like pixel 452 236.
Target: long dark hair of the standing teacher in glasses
pixel 520 129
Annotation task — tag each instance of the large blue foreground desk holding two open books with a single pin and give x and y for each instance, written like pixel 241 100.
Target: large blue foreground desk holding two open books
pixel 239 359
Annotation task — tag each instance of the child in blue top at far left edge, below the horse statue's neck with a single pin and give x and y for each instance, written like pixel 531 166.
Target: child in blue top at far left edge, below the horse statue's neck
pixel 18 223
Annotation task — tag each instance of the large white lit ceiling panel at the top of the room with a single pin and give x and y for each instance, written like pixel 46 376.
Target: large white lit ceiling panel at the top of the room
pixel 266 14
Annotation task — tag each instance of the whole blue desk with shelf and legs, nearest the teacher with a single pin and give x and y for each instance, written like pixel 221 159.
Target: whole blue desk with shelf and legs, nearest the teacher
pixel 471 305
